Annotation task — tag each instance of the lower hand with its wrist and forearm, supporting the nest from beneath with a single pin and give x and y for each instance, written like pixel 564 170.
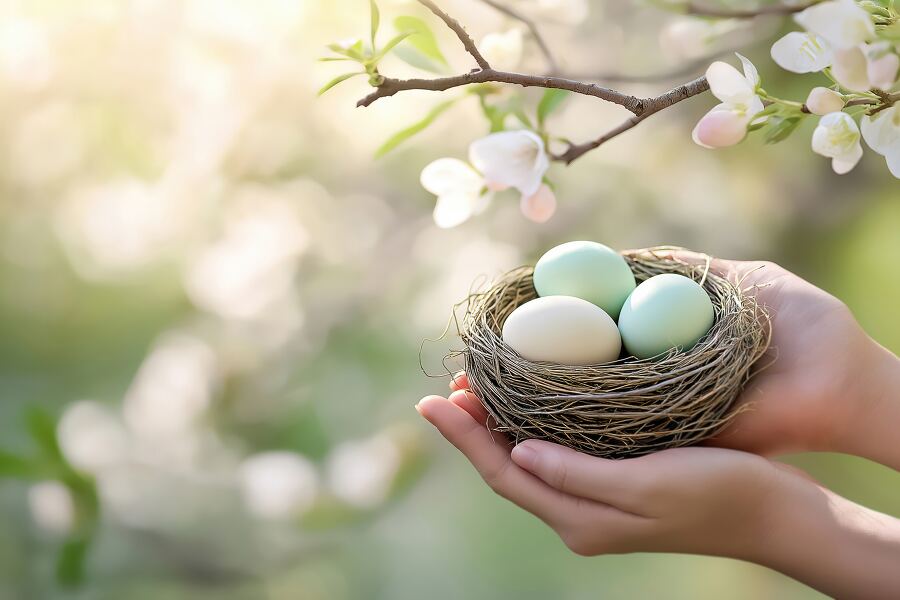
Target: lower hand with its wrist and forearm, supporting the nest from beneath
pixel 692 500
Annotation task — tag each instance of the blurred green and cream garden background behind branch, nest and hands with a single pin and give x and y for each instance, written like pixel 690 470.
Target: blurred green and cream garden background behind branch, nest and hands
pixel 212 297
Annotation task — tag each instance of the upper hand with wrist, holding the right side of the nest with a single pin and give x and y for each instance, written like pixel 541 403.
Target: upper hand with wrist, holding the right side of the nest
pixel 826 384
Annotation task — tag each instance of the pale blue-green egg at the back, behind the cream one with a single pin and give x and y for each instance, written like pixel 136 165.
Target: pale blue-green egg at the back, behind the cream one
pixel 585 270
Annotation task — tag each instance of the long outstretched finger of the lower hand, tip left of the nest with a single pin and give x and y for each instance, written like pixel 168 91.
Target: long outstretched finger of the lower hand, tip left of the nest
pixel 493 462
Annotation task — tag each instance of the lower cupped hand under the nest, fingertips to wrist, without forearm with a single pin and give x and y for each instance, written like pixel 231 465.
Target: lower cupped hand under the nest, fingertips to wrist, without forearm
pixel 696 500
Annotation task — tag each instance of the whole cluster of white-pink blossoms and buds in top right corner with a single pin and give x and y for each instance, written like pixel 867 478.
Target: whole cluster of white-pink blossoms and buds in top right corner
pixel 841 40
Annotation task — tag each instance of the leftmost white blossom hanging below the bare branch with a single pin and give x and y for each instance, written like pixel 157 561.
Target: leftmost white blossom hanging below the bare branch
pixel 458 188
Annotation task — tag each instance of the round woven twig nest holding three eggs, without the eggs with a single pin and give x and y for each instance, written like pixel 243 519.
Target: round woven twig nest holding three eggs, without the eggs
pixel 625 408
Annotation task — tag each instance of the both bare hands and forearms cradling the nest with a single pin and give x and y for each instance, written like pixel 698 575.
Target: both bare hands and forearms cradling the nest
pixel 829 387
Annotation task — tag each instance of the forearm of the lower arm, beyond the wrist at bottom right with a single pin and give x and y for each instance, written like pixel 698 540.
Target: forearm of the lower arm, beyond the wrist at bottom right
pixel 838 547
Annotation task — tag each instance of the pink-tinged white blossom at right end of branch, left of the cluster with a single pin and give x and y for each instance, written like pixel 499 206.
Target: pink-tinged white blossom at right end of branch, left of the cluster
pixel 726 124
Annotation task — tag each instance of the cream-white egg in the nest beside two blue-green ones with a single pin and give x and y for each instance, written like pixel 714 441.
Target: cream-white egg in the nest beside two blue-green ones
pixel 564 330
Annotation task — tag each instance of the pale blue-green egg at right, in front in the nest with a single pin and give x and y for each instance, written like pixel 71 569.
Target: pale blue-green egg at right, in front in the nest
pixel 664 312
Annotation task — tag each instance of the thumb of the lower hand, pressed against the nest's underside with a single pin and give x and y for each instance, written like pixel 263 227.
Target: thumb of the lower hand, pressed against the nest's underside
pixel 614 482
